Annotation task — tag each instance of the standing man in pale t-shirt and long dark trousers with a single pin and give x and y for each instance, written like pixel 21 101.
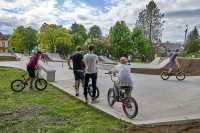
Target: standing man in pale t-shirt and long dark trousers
pixel 90 60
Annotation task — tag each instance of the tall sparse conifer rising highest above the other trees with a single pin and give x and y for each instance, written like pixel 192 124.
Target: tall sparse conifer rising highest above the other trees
pixel 150 20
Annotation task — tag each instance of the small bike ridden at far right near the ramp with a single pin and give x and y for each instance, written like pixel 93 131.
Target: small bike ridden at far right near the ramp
pixel 180 75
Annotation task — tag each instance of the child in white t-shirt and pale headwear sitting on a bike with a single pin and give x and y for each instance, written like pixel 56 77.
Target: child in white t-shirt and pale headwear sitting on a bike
pixel 125 79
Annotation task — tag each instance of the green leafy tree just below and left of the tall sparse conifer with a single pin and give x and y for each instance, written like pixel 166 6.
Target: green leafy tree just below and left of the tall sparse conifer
pixel 142 46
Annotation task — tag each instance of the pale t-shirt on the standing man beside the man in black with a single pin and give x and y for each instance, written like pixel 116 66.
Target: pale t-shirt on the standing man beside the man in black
pixel 91 63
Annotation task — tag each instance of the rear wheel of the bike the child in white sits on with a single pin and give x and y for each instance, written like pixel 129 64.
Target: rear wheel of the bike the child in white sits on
pixel 130 107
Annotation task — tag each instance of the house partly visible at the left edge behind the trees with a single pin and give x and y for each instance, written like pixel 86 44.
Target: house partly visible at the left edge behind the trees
pixel 3 43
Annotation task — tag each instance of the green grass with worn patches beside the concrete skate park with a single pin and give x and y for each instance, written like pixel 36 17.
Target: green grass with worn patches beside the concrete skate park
pixel 50 111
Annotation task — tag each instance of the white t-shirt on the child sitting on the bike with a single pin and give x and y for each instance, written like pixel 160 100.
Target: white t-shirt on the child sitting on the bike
pixel 124 75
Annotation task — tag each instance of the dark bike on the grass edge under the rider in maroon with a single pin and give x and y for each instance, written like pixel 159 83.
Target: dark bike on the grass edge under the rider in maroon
pixel 18 85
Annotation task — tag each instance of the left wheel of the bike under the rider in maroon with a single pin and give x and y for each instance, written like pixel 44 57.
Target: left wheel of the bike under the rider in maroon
pixel 17 85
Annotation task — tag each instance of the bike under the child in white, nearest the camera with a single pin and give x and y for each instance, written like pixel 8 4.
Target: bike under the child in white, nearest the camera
pixel 118 94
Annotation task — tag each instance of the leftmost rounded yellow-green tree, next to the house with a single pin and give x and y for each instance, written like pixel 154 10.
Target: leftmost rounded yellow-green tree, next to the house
pixel 23 39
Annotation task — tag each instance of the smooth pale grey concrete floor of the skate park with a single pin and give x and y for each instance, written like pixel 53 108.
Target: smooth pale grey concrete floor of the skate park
pixel 159 101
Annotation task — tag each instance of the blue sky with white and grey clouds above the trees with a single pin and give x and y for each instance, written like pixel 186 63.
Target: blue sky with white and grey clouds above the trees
pixel 103 13
